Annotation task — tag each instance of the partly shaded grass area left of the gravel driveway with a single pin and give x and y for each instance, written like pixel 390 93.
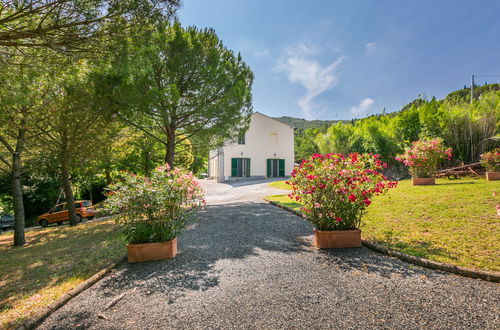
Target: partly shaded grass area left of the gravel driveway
pixel 54 260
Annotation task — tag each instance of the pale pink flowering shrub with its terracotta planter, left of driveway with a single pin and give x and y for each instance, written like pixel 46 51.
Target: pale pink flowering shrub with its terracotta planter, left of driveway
pixel 153 210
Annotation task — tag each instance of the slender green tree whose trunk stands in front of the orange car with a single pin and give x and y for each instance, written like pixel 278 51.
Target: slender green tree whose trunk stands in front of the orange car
pixel 70 126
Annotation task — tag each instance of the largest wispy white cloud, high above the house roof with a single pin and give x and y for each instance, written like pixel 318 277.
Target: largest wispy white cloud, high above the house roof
pixel 315 78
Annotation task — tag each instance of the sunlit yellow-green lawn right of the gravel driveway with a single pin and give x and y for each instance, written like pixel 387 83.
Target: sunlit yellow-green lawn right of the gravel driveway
pixel 454 221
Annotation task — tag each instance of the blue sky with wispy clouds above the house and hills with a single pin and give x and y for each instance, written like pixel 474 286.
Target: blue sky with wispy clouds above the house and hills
pixel 343 59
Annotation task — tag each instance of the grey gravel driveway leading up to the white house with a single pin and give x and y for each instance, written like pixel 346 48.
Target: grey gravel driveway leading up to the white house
pixel 249 265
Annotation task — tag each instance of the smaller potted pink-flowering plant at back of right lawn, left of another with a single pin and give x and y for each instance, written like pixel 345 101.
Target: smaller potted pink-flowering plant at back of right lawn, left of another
pixel 422 159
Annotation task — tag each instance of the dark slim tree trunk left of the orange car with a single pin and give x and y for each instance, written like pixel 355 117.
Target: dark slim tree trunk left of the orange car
pixel 17 199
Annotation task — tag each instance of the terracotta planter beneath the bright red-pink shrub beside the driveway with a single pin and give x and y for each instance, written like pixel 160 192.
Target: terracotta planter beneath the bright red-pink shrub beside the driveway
pixel 331 239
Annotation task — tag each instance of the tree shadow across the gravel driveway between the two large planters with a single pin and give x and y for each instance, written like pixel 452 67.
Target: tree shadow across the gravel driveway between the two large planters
pixel 237 231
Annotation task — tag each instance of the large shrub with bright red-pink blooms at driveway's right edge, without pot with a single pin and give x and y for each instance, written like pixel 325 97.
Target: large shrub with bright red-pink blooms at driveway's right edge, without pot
pixel 336 189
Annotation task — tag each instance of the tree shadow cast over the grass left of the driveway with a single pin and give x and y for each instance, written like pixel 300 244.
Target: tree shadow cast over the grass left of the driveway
pixel 51 257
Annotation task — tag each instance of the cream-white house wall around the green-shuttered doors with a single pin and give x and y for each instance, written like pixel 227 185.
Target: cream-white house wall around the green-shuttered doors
pixel 265 139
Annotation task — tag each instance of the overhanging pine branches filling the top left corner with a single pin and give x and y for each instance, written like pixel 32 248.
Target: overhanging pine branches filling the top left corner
pixel 71 26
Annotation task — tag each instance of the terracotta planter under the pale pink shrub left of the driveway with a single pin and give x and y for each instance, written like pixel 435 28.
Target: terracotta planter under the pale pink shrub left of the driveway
pixel 152 251
